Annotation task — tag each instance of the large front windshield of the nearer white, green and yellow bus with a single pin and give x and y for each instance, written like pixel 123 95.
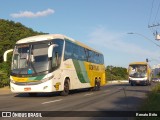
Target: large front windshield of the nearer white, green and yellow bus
pixel 30 58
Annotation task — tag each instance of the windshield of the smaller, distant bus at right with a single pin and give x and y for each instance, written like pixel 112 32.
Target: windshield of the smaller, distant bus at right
pixel 138 71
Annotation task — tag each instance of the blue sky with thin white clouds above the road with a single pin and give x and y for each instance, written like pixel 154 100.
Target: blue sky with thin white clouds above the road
pixel 101 24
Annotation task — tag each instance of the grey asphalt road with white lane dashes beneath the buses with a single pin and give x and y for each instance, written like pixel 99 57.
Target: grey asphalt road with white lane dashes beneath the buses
pixel 112 97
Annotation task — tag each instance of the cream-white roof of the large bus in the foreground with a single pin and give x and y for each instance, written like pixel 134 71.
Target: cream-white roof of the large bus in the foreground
pixel 46 37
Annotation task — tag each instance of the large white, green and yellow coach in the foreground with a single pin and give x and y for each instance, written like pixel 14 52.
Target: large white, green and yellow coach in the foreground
pixel 55 63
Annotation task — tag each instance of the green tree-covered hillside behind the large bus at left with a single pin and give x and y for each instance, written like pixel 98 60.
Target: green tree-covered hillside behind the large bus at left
pixel 10 32
